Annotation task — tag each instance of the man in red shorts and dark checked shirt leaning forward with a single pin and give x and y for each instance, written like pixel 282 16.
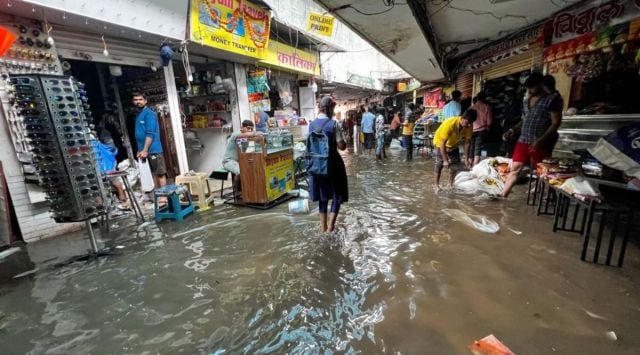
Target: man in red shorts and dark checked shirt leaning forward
pixel 542 116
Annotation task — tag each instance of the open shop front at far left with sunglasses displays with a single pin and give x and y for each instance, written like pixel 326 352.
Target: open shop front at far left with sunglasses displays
pixel 73 86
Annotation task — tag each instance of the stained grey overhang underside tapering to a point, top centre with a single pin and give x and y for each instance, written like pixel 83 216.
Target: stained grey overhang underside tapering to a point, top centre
pixel 395 33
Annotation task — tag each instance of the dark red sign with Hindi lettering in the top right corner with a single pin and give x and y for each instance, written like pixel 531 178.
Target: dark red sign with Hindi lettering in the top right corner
pixel 593 15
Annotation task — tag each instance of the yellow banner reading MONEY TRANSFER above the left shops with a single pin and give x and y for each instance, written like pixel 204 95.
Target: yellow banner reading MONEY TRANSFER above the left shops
pixel 237 26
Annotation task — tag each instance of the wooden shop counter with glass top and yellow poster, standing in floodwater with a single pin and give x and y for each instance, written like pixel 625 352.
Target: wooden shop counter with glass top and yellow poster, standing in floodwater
pixel 266 166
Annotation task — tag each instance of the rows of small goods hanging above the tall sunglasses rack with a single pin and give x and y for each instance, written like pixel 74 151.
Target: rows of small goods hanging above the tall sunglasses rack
pixel 33 52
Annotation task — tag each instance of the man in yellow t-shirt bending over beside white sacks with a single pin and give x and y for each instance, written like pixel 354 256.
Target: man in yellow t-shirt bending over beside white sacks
pixel 446 140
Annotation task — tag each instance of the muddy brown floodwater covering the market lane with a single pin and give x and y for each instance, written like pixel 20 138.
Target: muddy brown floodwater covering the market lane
pixel 399 277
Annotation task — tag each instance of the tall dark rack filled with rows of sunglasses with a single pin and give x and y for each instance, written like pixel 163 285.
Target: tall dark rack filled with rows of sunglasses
pixel 56 119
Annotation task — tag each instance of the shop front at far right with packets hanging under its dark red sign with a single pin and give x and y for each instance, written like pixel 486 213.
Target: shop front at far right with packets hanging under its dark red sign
pixel 594 56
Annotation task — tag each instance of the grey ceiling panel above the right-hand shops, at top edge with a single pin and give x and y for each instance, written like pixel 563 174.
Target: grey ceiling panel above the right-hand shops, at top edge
pixel 477 22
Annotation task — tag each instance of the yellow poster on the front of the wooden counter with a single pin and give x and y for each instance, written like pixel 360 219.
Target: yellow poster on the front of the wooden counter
pixel 280 174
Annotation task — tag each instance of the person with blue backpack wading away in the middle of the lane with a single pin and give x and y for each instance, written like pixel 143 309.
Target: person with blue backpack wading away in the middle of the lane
pixel 331 186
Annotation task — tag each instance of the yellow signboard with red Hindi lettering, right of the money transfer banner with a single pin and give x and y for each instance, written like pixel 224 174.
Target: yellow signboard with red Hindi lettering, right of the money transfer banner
pixel 287 57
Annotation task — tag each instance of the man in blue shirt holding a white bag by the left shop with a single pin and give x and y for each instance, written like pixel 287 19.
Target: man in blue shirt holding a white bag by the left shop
pixel 148 139
